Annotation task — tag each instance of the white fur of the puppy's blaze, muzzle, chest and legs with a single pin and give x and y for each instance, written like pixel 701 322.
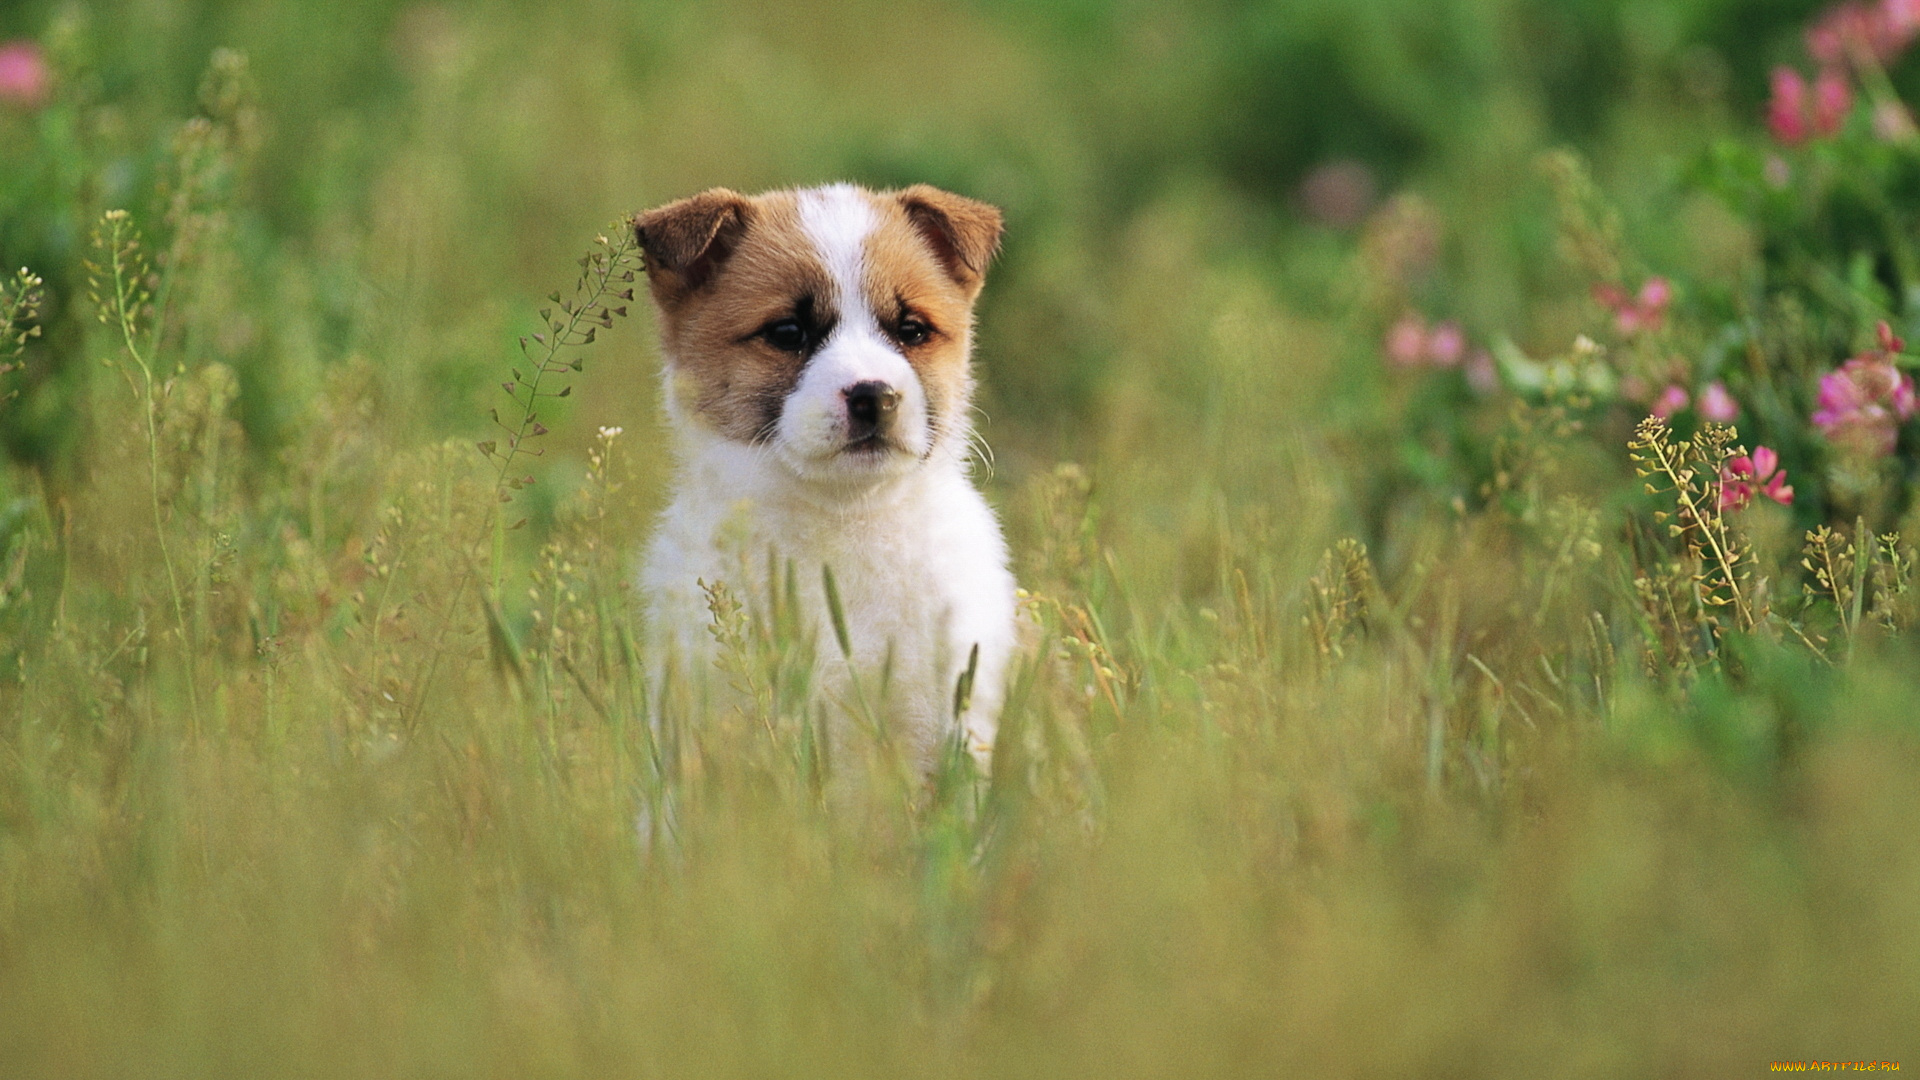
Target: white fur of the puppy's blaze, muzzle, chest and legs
pixel 915 551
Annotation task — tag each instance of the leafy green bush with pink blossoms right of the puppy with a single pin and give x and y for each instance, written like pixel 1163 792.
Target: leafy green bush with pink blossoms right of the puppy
pixel 1808 358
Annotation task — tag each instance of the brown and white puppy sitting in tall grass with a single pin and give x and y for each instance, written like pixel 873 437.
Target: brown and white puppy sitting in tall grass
pixel 819 385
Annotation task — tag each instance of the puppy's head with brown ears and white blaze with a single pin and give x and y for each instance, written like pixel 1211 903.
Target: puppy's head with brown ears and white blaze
pixel 828 326
